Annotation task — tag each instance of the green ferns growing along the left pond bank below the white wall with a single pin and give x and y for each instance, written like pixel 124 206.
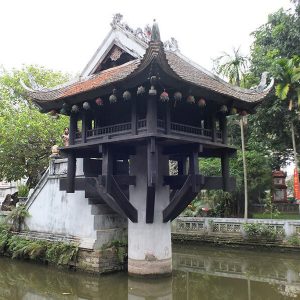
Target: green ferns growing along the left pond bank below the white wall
pixel 58 253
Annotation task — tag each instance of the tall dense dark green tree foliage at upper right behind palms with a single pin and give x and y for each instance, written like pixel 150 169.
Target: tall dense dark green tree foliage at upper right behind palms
pixel 275 44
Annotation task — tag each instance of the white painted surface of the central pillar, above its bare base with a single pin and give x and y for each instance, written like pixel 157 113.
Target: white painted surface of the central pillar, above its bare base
pixel 148 239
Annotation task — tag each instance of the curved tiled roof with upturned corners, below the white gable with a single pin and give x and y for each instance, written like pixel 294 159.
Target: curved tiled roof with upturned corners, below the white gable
pixel 173 63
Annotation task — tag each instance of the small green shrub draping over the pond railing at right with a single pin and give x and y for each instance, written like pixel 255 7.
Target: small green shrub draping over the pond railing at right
pixel 257 230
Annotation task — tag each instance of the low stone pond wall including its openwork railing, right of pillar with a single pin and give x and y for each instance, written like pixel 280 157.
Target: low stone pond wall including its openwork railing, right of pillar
pixel 232 231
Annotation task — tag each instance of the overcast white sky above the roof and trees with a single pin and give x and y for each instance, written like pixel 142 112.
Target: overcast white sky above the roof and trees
pixel 64 34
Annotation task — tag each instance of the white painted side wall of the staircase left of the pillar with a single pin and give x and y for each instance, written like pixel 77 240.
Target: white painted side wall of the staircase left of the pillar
pixel 57 212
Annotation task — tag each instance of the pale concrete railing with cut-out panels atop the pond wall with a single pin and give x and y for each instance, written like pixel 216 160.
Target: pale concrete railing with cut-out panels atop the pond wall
pixel 230 226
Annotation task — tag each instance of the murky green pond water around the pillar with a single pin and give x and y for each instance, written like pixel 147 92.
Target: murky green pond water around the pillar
pixel 199 273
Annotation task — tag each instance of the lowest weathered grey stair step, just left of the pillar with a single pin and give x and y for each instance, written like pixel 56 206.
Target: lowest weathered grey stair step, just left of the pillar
pixel 105 237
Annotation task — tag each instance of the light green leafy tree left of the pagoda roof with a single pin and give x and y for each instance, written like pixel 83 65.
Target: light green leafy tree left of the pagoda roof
pixel 26 135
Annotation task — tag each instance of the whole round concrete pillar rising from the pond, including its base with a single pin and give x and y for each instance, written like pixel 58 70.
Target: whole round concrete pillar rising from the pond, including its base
pixel 149 245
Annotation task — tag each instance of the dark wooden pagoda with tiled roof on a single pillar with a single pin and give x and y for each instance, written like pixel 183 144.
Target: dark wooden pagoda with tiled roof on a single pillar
pixel 135 109
